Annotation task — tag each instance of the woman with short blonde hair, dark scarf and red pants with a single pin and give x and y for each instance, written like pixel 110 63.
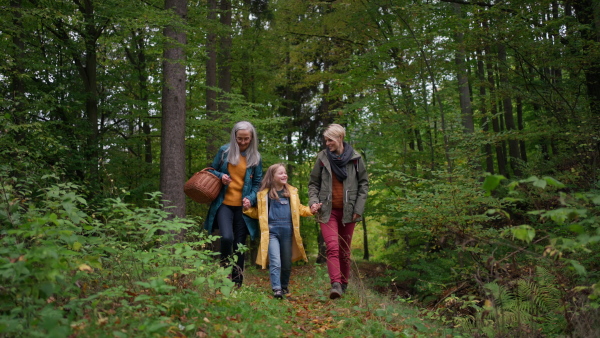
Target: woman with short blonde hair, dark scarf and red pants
pixel 338 189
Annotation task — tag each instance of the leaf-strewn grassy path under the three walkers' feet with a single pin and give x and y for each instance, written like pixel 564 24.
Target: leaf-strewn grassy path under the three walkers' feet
pixel 366 310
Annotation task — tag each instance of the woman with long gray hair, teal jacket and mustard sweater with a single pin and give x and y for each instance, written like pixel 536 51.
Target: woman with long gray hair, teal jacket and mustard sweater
pixel 238 164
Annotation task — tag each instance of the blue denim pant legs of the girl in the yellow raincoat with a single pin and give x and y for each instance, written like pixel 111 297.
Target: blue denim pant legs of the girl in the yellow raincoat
pixel 280 255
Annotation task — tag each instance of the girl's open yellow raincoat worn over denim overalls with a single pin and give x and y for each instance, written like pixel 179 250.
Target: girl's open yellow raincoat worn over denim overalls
pixel 260 211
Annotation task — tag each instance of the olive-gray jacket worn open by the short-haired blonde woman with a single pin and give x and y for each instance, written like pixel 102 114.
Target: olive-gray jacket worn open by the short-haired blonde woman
pixel 356 187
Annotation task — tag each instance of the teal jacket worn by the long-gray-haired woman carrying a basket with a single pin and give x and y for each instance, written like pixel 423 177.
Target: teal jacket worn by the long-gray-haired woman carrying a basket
pixel 249 190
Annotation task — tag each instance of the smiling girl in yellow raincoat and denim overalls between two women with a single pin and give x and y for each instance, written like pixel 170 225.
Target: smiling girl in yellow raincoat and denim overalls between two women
pixel 278 211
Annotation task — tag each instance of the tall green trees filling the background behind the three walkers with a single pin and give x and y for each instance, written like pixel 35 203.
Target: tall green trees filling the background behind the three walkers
pixel 435 93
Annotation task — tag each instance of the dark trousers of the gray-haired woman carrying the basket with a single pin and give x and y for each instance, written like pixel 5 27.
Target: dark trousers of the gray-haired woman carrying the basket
pixel 233 232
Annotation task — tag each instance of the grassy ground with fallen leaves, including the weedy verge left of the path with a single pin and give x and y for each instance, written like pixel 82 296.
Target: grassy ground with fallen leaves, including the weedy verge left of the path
pixel 251 311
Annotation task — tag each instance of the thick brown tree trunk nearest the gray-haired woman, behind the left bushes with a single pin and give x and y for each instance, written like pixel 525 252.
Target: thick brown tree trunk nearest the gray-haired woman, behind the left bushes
pixel 172 156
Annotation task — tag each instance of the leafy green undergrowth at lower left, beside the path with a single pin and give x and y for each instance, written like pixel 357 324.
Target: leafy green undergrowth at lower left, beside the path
pixel 62 262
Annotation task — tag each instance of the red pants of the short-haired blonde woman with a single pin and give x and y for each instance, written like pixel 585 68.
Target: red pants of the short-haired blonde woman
pixel 338 237
